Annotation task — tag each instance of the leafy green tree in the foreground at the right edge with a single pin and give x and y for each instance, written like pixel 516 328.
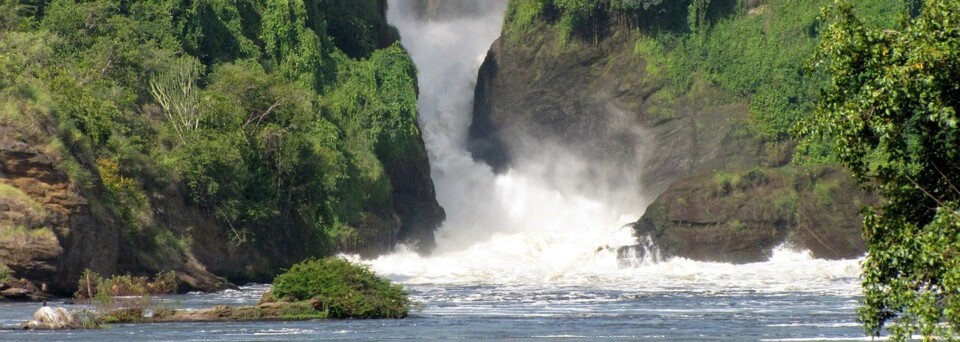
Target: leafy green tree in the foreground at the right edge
pixel 891 111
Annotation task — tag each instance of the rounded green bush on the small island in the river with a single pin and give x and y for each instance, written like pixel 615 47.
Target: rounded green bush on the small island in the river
pixel 343 289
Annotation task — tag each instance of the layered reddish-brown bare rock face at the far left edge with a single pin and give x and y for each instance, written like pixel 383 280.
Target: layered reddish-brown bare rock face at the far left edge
pixel 48 232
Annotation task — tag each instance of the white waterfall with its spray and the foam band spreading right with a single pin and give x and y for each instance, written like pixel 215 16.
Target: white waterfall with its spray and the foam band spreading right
pixel 522 227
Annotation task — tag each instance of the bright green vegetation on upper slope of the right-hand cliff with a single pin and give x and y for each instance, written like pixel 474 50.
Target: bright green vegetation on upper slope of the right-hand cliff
pixel 758 54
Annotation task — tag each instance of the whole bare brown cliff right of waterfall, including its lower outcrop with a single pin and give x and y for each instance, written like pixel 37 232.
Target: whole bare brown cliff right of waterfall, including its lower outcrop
pixel 605 97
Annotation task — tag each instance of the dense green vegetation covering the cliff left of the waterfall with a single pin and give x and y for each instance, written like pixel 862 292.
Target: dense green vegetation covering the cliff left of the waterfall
pixel 267 115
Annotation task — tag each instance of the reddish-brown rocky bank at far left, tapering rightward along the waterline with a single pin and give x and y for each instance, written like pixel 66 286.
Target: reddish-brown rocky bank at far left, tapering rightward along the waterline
pixel 50 232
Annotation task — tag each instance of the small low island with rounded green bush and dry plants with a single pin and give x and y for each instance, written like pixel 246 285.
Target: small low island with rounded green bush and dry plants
pixel 329 288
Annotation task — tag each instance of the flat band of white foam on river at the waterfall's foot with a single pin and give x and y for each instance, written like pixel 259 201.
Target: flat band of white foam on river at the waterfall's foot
pixel 518 260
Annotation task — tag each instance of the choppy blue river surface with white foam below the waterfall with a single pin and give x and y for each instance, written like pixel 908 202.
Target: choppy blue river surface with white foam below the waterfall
pixel 789 298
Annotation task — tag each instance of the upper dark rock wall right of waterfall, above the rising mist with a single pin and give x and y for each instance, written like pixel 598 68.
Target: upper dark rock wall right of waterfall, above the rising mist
pixel 596 100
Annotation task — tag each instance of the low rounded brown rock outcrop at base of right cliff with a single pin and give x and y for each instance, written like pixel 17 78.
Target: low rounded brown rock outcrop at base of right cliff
pixel 741 217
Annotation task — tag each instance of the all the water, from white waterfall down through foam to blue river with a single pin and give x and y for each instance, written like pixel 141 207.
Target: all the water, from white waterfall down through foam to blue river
pixel 524 255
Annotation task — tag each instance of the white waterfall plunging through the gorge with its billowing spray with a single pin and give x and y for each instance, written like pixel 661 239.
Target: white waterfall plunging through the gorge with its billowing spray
pixel 517 227
